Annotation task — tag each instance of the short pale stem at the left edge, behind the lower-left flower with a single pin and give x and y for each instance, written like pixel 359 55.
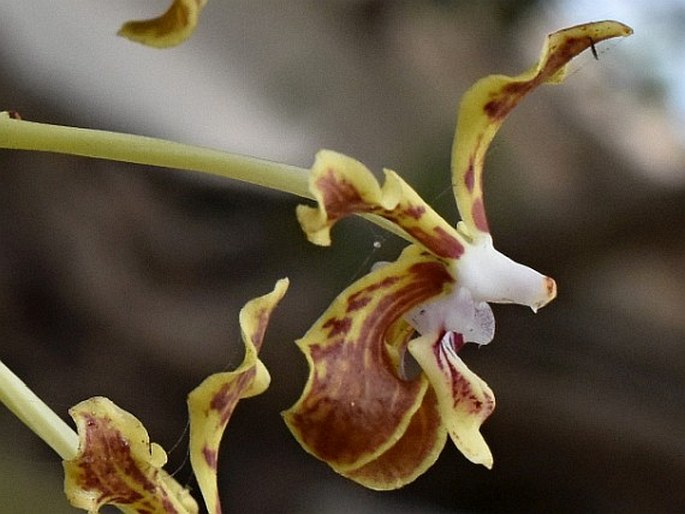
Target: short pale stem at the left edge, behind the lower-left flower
pixel 36 415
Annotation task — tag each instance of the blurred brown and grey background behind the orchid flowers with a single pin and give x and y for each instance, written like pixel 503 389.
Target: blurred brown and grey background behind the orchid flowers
pixel 126 281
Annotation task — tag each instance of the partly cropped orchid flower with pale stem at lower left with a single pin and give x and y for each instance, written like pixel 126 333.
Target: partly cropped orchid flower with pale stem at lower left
pixel 111 460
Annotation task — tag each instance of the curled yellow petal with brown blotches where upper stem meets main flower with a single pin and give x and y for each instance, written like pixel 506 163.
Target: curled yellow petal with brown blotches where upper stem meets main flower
pixel 343 186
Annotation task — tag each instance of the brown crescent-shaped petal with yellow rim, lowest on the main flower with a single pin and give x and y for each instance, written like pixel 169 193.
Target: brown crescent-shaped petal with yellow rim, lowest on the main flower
pixel 415 452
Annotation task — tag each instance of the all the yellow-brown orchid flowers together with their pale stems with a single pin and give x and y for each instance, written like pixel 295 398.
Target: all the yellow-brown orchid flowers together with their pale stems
pixel 360 411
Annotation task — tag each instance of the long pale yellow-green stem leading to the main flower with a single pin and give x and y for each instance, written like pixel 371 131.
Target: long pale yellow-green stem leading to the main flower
pixel 18 134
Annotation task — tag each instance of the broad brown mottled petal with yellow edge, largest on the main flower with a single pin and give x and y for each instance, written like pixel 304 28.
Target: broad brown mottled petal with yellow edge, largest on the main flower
pixel 355 406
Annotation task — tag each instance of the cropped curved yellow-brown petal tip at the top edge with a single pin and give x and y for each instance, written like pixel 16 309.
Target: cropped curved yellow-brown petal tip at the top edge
pixel 170 29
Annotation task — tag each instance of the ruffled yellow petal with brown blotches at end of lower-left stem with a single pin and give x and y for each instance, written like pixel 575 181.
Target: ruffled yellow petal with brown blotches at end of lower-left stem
pixel 117 465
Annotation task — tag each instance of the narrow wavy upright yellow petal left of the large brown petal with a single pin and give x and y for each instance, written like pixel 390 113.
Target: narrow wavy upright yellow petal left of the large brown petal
pixel 211 404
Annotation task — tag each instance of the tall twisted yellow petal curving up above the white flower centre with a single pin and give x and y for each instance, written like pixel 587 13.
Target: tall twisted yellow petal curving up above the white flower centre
pixel 487 103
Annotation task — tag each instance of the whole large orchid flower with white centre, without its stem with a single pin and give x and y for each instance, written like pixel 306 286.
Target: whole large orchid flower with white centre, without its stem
pixel 359 412
